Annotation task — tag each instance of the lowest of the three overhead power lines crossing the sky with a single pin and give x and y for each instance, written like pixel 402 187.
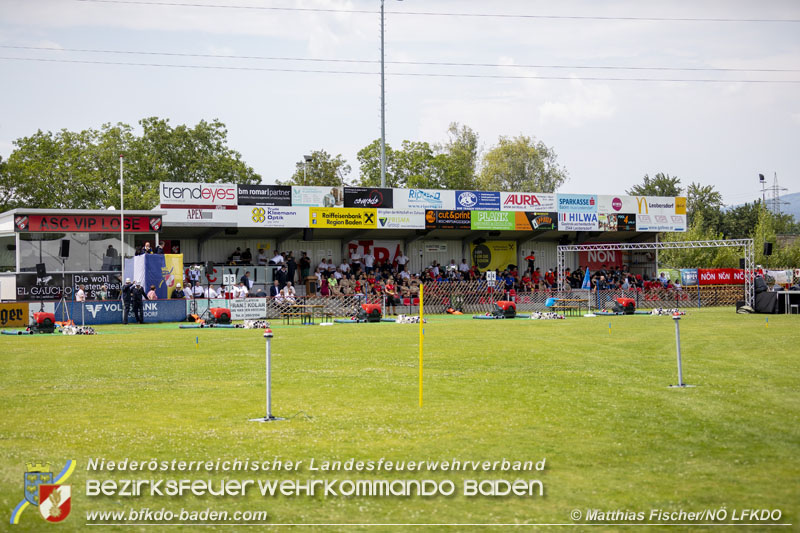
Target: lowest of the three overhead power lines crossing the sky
pixel 408 74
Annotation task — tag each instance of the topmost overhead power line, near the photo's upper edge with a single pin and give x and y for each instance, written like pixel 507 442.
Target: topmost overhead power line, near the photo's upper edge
pixel 439 14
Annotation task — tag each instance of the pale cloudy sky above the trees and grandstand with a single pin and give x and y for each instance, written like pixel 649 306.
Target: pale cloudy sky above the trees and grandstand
pixel 607 134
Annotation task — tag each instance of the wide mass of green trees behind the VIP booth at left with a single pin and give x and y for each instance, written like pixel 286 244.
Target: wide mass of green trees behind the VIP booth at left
pixel 80 170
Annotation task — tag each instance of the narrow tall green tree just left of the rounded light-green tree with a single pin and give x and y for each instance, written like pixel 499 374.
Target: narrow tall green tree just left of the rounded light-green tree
pixel 459 157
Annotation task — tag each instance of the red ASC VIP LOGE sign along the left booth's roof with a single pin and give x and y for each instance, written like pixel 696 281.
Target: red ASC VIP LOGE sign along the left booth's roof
pixel 86 223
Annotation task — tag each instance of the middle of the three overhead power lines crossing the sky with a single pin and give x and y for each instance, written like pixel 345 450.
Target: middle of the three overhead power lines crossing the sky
pixel 375 61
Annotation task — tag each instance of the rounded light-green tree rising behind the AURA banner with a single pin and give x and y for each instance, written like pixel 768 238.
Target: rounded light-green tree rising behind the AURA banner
pixel 521 164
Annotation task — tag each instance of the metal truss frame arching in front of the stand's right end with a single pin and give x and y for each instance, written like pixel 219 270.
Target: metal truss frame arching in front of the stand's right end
pixel 747 244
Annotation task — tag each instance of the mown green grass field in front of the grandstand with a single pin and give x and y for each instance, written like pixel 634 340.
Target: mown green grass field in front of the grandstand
pixel 594 403
